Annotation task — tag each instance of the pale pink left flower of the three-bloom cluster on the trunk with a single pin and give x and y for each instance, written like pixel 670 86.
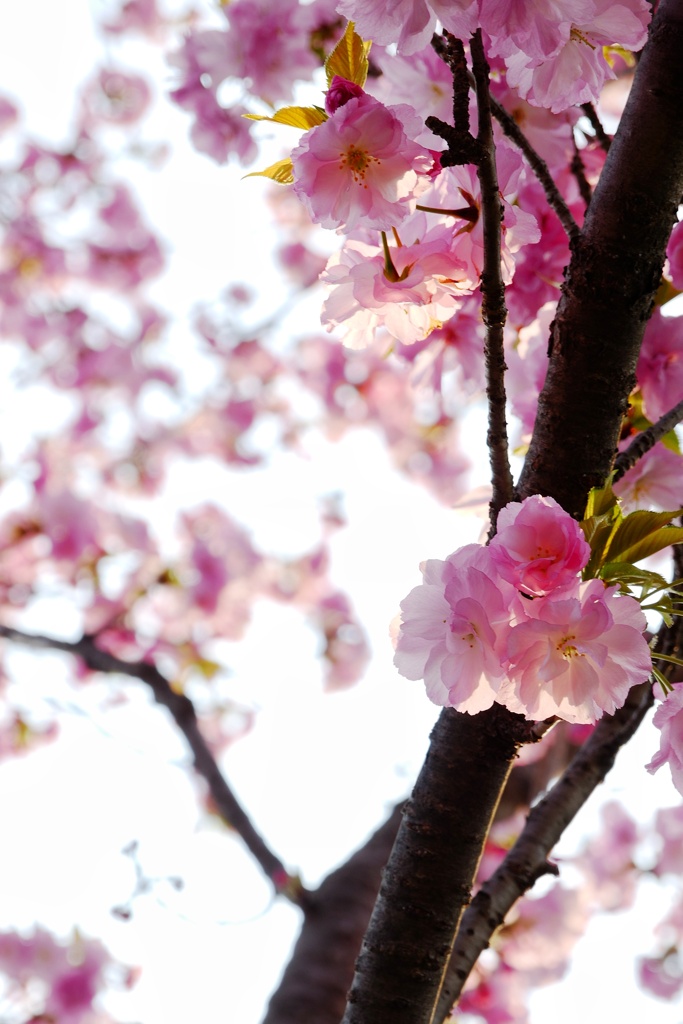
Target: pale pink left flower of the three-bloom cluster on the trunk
pixel 453 629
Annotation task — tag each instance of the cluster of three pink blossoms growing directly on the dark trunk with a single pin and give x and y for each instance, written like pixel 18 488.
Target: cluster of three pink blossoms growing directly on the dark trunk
pixel 514 623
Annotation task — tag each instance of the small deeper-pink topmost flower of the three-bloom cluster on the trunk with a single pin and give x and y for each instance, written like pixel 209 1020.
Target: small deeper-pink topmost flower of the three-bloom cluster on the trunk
pixel 539 547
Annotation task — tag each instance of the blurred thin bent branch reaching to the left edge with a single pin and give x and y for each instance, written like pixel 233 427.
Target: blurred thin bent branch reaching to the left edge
pixel 183 711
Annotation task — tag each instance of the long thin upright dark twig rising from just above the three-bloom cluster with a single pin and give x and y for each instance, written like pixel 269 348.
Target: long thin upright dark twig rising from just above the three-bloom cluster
pixel 494 311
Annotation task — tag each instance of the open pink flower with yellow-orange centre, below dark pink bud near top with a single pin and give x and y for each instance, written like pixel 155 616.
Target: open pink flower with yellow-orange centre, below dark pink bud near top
pixel 359 167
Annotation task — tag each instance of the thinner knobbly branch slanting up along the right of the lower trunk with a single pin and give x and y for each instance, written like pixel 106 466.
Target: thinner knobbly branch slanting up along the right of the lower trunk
pixel 528 861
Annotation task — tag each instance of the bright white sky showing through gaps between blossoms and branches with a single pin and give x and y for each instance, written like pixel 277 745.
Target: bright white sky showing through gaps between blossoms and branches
pixel 318 773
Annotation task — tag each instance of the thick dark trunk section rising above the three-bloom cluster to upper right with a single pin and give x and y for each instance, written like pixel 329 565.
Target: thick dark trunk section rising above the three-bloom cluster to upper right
pixel 611 283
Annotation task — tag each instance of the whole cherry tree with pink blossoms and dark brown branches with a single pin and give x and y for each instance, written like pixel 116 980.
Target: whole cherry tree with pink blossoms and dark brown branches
pixel 476 207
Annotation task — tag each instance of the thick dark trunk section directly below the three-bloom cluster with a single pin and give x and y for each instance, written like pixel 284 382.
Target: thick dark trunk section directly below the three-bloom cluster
pixel 430 876
